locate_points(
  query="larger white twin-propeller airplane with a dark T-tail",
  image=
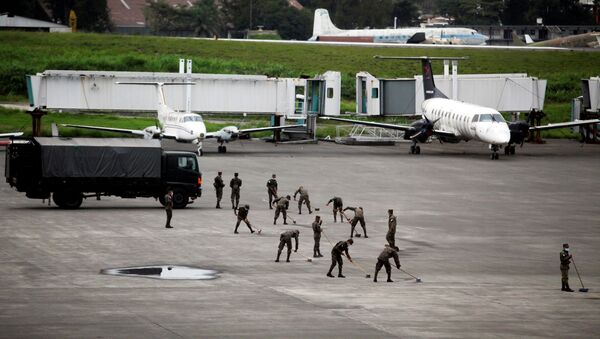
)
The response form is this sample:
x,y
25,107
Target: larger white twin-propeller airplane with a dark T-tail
x,y
452,121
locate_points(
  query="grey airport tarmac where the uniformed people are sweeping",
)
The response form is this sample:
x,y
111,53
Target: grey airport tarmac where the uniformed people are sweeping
x,y
484,236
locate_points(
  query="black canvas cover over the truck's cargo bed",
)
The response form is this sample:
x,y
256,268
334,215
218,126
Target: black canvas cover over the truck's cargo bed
x,y
100,158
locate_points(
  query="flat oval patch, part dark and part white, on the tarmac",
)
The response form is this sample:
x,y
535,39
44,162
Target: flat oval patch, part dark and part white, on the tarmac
x,y
168,272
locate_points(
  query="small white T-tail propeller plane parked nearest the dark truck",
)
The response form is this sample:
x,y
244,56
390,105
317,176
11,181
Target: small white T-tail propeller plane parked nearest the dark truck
x,y
183,127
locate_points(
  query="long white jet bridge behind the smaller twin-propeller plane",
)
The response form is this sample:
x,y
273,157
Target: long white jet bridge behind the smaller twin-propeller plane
x,y
98,91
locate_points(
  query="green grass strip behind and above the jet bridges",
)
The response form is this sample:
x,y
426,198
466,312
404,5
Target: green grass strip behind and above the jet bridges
x,y
28,53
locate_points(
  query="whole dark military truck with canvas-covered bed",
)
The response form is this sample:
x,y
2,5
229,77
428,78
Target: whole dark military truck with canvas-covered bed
x,y
72,169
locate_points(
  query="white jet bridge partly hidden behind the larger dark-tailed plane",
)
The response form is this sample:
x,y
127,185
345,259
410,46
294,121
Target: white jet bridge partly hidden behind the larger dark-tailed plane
x,y
402,96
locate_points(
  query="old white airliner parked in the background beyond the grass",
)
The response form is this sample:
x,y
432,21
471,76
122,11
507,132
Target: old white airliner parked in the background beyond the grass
x,y
325,30
